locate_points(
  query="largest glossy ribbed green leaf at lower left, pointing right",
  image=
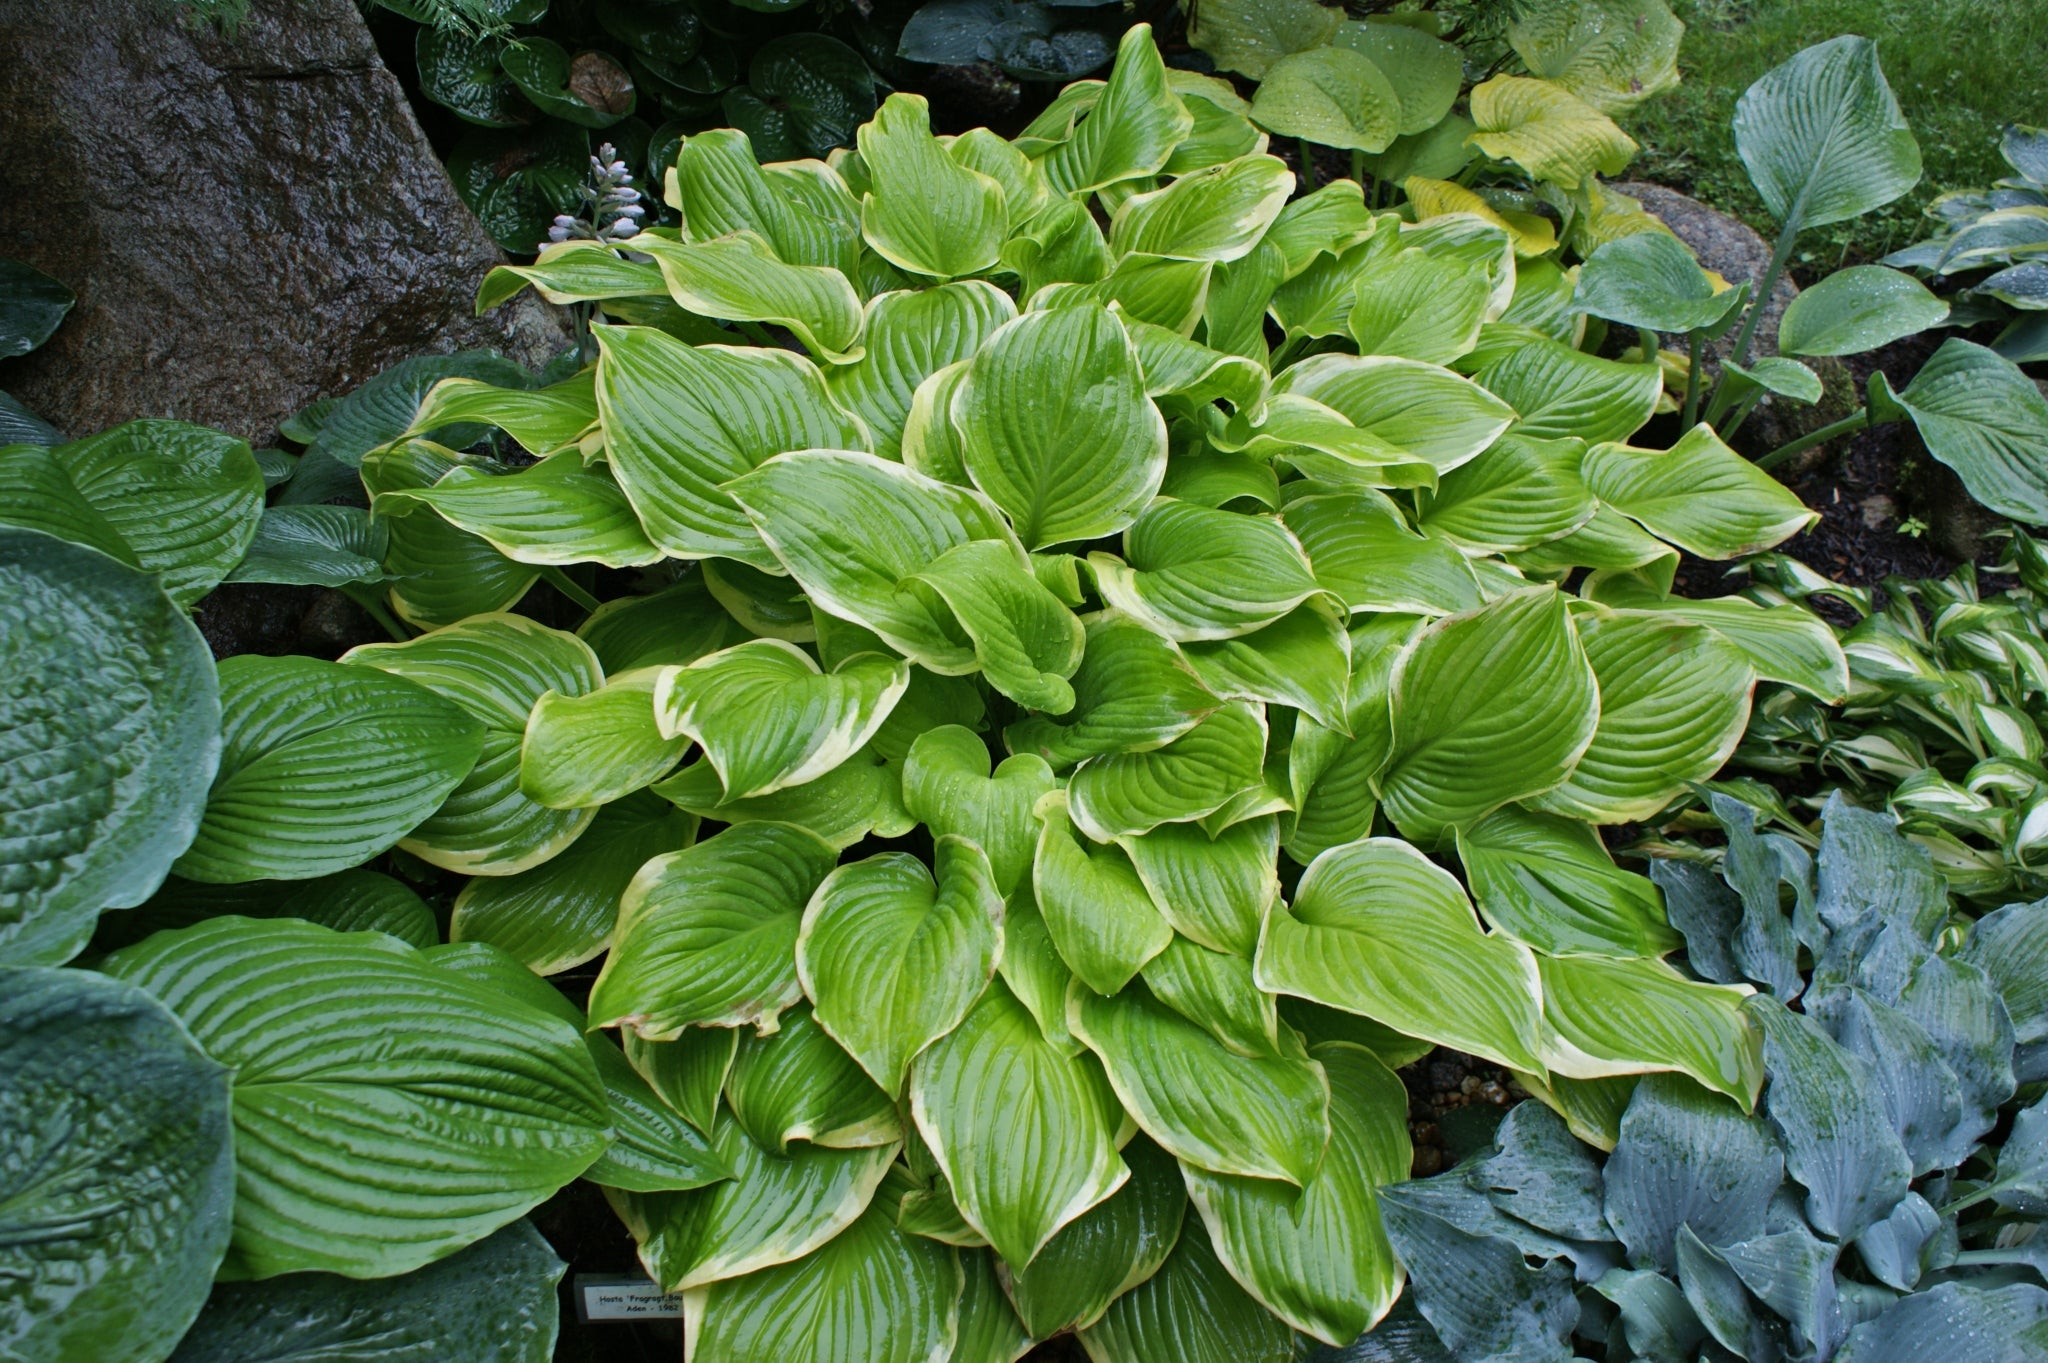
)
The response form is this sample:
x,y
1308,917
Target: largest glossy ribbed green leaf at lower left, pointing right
x,y
361,1075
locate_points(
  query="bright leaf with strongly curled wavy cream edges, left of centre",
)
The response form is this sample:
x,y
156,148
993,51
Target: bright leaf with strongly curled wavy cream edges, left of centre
x,y
767,717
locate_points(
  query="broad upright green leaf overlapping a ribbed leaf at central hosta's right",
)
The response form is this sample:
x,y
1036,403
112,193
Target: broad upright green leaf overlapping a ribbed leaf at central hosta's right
x,y
1492,707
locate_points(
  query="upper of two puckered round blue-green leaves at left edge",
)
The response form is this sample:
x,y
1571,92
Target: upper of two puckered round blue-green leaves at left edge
x,y
112,701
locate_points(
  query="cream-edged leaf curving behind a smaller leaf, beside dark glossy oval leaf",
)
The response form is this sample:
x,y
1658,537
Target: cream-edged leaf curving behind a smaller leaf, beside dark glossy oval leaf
x,y
495,668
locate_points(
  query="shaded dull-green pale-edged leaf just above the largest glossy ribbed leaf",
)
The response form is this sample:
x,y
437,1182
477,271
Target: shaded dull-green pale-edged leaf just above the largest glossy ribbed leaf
x,y
564,912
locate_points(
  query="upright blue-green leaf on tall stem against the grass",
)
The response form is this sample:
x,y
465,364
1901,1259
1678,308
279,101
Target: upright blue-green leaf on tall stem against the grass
x,y
1824,138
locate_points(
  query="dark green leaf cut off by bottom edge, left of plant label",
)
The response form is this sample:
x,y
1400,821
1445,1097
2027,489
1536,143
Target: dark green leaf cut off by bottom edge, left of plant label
x,y
493,1303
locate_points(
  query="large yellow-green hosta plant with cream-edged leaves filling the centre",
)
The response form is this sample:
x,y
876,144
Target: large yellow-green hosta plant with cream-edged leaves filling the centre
x,y
1109,752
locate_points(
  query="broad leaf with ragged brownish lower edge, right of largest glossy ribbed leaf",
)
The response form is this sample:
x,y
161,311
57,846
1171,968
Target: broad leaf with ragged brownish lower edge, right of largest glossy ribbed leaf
x,y
710,934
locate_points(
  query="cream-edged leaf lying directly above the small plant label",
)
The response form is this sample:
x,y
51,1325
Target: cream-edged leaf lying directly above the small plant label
x,y
777,1208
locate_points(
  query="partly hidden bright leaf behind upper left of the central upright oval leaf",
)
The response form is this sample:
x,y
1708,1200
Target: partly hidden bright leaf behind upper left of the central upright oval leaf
x,y
910,337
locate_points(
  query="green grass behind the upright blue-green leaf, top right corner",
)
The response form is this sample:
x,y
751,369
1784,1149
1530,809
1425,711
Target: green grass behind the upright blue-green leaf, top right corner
x,y
1961,71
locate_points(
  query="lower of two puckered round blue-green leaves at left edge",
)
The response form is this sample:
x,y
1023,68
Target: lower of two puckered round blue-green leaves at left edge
x,y
120,1174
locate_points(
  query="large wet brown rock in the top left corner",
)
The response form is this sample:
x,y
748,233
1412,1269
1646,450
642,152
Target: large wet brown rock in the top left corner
x,y
251,222
